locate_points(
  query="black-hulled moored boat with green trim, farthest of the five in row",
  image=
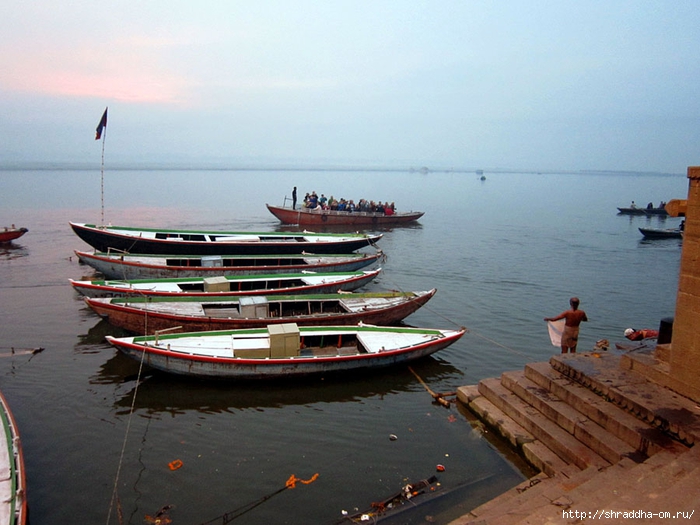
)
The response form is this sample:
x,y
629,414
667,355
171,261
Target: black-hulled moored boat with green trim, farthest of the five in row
x,y
195,242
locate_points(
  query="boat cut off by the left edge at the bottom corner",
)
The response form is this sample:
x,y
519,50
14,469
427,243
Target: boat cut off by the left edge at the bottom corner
x,y
13,485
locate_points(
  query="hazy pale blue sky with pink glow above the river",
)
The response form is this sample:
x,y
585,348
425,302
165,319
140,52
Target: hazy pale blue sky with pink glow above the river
x,y
530,84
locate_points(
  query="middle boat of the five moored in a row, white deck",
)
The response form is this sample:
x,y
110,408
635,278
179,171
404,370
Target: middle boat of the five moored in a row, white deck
x,y
283,283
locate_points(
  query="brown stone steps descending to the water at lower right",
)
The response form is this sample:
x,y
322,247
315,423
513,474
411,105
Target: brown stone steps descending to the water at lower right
x,y
603,439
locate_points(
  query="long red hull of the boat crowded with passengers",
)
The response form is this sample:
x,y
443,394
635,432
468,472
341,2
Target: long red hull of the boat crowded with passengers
x,y
306,217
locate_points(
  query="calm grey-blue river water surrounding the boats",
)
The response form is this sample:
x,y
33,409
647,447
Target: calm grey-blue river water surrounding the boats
x,y
503,252
